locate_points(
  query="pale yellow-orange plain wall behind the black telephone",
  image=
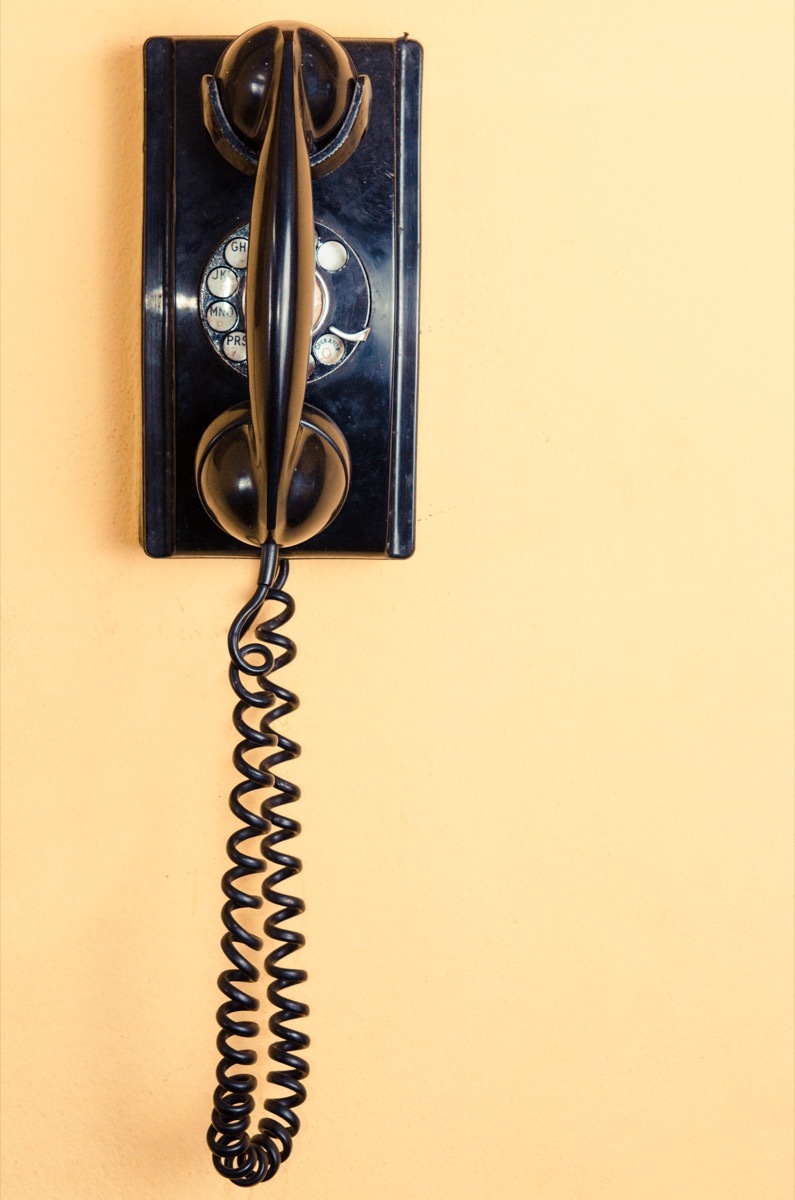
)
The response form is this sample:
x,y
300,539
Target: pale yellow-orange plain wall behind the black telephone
x,y
547,761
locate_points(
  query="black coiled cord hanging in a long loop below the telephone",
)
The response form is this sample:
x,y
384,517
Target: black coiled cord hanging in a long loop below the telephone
x,y
238,1156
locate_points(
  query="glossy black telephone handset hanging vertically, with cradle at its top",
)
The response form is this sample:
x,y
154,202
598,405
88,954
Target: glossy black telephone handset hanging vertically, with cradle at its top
x,y
286,98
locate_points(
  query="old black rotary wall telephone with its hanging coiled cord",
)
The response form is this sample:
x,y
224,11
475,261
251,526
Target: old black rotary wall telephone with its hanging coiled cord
x,y
282,254
